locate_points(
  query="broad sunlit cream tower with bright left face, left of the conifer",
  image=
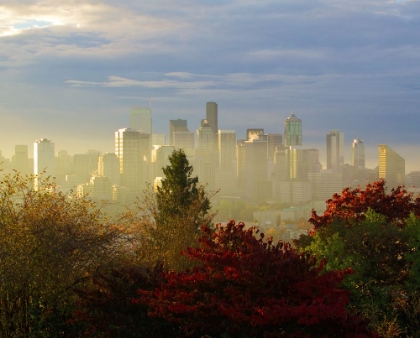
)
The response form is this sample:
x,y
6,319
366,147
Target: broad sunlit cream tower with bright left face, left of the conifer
x,y
127,148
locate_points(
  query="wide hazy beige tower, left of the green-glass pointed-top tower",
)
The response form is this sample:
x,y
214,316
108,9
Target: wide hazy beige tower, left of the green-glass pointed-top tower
x,y
256,170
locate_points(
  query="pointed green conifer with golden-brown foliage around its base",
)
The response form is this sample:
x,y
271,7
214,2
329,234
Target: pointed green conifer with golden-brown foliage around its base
x,y
169,219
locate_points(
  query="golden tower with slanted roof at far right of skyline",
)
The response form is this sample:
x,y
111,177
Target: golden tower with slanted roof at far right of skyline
x,y
391,167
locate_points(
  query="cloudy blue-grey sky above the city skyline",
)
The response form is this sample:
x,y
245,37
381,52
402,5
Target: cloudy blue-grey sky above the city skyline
x,y
71,69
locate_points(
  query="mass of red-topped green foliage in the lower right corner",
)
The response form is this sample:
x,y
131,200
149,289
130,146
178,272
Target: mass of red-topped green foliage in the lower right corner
x,y
377,234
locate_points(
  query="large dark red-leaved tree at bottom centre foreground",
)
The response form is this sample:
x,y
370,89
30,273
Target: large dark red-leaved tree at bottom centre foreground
x,y
248,287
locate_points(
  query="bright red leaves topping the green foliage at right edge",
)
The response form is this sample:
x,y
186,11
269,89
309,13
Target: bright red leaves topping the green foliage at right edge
x,y
352,204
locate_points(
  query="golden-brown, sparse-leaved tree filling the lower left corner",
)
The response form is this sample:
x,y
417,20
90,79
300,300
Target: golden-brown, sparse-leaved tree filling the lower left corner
x,y
49,244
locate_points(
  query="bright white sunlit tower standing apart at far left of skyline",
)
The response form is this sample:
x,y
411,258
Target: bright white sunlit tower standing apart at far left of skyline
x,y
44,157
